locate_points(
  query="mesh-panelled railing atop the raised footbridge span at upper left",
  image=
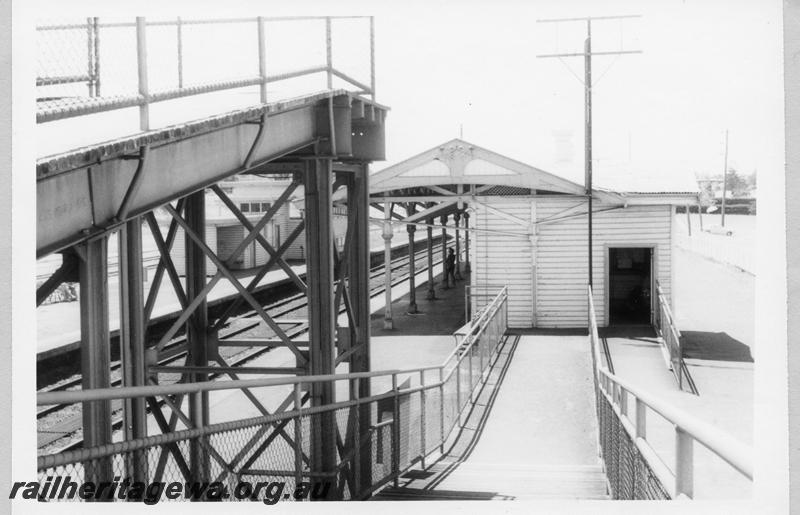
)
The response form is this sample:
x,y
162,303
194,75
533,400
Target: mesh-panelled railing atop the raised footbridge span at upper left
x,y
110,60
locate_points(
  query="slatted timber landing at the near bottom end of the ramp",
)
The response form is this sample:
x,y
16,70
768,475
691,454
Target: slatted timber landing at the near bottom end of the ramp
x,y
489,481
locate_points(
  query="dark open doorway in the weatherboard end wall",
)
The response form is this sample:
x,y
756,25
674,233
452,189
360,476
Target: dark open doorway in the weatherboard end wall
x,y
630,285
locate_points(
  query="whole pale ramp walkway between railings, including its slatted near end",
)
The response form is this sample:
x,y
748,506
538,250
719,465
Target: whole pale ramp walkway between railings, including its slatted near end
x,y
531,434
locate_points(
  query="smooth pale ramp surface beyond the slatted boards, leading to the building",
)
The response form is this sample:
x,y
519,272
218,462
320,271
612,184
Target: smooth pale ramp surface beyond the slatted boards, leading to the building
x,y
544,414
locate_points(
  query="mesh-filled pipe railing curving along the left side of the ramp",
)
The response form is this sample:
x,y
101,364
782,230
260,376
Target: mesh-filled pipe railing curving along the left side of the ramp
x,y
419,411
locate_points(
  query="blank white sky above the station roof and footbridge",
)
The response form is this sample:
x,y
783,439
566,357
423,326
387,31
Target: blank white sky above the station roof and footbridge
x,y
444,67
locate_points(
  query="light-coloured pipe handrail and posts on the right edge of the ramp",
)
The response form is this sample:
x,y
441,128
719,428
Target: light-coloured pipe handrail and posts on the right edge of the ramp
x,y
678,481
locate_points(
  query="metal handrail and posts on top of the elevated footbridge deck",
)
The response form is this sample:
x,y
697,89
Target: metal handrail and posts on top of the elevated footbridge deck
x,y
95,103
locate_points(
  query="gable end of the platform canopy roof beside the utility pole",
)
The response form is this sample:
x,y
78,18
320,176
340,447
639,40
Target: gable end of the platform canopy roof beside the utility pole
x,y
460,162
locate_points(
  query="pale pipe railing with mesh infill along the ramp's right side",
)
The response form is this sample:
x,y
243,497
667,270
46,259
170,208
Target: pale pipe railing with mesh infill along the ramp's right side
x,y
634,468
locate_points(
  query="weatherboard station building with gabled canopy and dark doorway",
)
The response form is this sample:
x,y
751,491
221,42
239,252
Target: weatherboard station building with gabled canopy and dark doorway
x,y
529,231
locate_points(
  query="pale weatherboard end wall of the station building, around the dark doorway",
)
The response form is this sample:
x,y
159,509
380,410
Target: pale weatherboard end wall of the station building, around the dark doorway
x,y
547,275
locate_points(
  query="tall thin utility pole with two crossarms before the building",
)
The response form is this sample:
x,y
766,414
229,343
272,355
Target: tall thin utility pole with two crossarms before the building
x,y
587,83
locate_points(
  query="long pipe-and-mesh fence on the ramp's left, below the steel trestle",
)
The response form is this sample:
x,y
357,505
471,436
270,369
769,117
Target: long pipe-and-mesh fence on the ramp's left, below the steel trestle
x,y
426,406
